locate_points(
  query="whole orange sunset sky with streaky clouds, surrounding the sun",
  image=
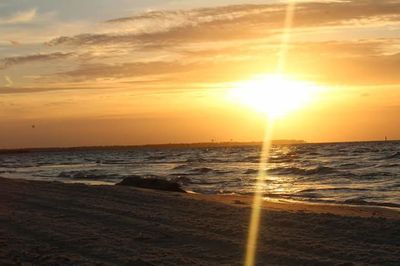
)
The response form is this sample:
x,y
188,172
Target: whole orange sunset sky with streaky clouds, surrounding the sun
x,y
102,72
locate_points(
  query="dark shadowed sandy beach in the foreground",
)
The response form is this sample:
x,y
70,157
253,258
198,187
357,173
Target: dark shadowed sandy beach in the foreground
x,y
50,223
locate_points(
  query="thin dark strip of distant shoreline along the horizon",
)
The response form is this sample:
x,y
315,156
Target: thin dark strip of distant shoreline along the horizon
x,y
174,146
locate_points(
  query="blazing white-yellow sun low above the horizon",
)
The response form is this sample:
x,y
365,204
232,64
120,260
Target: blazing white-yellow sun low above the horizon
x,y
273,95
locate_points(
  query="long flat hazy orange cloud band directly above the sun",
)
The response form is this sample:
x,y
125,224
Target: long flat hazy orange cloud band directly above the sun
x,y
358,62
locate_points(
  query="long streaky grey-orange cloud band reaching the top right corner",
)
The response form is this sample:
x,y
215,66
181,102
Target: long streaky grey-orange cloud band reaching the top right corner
x,y
230,22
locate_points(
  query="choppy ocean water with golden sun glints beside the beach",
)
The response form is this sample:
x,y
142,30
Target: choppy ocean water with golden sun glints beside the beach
x,y
344,173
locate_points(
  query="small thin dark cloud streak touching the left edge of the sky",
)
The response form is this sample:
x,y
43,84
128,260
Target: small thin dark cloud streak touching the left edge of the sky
x,y
10,61
